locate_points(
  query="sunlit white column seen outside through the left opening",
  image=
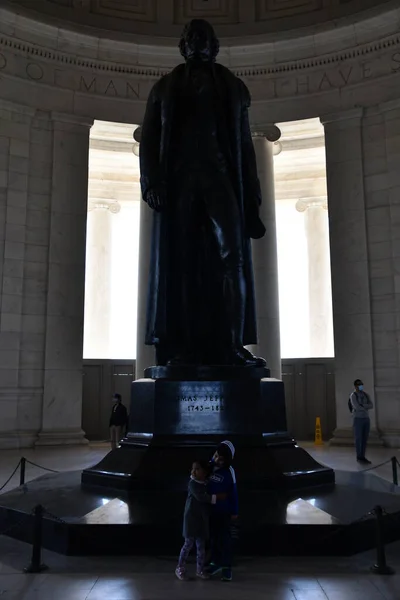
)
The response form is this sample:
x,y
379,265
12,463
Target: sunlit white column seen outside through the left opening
x,y
98,278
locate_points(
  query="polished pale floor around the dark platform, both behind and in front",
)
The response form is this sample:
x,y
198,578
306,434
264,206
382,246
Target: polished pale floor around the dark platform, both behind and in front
x,y
142,578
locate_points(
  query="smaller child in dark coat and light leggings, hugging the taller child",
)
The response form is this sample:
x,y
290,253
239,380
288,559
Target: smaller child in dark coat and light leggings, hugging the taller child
x,y
196,519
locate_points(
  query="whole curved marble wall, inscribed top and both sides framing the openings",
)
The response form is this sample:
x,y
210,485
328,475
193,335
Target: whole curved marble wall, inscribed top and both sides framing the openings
x,y
54,81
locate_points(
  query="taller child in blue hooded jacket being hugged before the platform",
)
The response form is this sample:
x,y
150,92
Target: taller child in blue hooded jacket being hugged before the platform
x,y
222,481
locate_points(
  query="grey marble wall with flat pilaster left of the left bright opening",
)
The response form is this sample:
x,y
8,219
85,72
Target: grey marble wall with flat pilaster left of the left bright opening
x,y
43,262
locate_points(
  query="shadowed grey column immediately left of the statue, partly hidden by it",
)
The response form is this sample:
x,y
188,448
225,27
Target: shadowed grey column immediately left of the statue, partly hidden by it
x,y
145,355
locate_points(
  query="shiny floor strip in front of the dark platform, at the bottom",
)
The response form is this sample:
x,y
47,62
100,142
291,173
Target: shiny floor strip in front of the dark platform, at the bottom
x,y
153,579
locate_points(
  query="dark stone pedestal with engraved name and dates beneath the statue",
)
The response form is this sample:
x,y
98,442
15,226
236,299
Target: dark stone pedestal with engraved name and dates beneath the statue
x,y
175,421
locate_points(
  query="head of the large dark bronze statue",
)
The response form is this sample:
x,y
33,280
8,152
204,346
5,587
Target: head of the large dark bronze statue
x,y
198,41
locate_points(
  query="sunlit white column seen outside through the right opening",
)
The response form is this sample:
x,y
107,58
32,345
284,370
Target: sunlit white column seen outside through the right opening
x,y
319,284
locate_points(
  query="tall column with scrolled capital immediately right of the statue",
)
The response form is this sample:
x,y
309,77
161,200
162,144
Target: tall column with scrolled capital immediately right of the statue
x,y
265,258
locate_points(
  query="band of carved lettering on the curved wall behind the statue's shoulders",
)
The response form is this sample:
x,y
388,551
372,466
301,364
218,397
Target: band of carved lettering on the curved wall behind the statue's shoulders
x,y
263,87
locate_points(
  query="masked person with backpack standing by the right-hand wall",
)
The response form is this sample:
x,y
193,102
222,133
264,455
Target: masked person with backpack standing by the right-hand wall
x,y
359,404
